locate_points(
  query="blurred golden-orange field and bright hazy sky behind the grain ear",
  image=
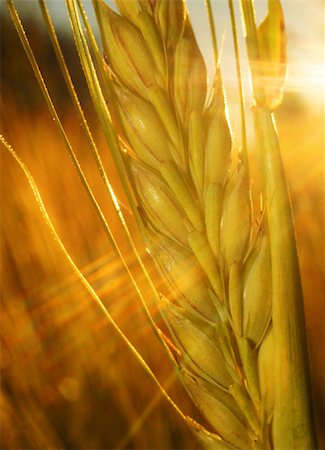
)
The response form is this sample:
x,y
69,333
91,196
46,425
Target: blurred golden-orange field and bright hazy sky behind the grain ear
x,y
67,379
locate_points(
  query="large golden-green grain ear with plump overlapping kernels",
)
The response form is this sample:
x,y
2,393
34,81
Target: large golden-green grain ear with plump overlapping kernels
x,y
194,198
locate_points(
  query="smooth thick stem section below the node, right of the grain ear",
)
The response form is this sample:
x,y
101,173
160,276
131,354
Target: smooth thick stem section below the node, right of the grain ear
x,y
293,415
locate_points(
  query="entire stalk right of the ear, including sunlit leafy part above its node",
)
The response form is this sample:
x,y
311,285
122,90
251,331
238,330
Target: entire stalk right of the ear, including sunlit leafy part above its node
x,y
293,426
